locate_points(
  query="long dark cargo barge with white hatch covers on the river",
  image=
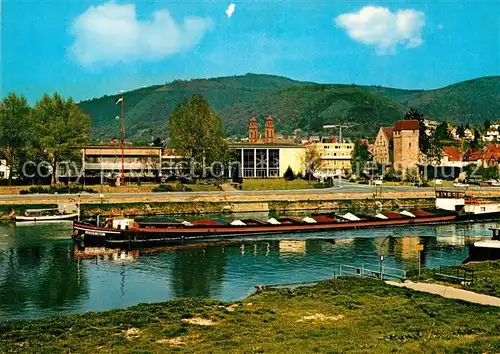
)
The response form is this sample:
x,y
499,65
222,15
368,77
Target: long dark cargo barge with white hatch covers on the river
x,y
451,207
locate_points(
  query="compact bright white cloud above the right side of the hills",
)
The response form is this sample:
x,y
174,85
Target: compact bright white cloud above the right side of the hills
x,y
379,27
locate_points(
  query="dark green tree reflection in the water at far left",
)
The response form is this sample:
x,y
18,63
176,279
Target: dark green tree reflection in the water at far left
x,y
38,274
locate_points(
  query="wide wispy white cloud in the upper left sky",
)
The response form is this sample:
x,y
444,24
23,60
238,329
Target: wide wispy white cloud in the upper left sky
x,y
111,33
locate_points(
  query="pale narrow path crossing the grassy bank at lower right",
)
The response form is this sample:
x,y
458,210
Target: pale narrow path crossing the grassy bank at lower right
x,y
450,292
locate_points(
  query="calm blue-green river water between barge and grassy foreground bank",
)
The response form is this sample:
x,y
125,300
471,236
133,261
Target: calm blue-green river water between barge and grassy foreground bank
x,y
40,274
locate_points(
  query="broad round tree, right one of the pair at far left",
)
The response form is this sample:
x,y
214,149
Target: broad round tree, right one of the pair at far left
x,y
59,127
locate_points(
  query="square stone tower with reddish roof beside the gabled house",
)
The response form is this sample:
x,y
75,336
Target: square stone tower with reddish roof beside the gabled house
x,y
406,148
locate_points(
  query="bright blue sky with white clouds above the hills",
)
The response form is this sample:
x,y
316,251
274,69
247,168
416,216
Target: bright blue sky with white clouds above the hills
x,y
87,48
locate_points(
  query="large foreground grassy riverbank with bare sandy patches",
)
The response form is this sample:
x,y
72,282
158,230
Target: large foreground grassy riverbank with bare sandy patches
x,y
342,315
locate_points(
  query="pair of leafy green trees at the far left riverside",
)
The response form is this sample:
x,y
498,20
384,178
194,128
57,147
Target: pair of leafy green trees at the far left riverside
x,y
48,132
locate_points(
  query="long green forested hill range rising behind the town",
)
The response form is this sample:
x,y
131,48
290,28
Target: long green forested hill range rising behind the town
x,y
293,104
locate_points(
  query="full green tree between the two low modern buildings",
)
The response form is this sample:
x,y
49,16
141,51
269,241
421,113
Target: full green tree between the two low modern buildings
x,y
196,132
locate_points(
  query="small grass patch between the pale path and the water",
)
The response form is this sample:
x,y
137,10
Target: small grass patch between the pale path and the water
x,y
486,274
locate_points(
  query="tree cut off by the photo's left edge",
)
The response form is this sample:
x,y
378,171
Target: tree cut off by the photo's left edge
x,y
14,129
